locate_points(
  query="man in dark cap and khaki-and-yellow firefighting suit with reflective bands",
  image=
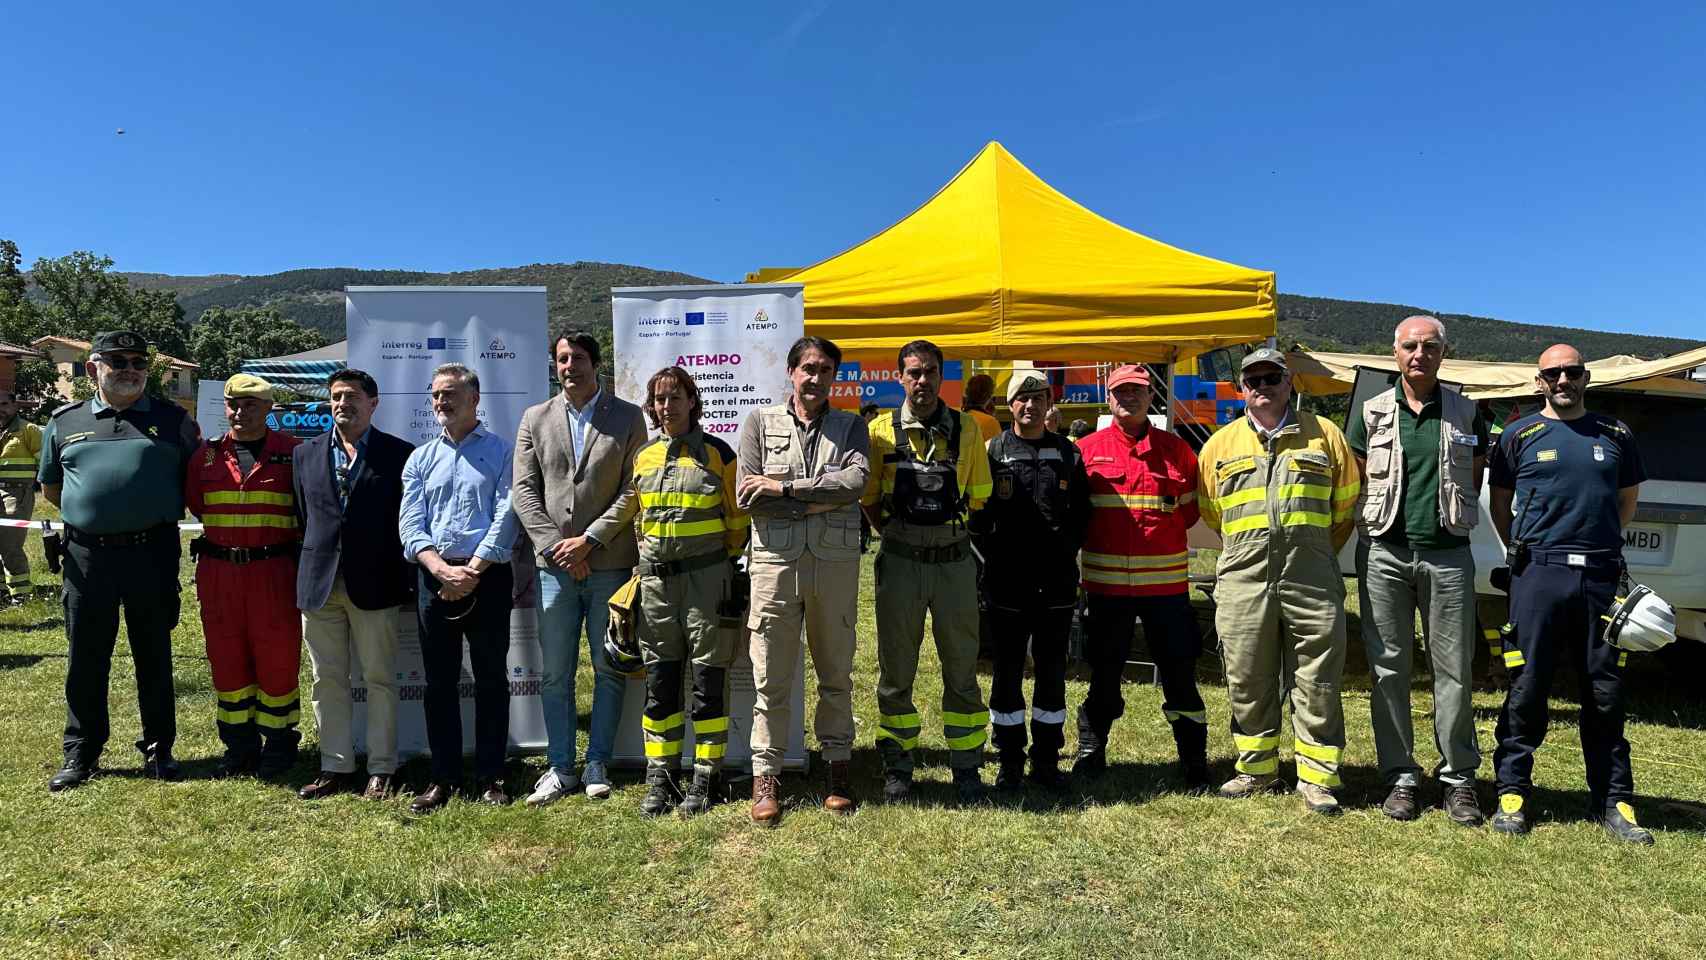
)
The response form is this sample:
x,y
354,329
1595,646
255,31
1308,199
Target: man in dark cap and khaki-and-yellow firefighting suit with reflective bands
x,y
1280,489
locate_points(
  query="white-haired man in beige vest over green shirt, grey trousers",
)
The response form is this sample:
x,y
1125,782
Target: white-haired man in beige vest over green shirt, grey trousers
x,y
1422,451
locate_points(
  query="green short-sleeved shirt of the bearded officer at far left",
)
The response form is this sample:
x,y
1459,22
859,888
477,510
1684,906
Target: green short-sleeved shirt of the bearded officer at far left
x,y
119,471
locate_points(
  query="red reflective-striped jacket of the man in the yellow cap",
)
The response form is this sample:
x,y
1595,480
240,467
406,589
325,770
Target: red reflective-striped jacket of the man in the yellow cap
x,y
240,511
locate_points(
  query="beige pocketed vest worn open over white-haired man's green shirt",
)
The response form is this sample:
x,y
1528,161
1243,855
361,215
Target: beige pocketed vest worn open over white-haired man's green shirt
x,y
1384,489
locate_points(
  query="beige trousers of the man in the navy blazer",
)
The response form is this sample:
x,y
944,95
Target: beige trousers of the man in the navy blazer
x,y
332,633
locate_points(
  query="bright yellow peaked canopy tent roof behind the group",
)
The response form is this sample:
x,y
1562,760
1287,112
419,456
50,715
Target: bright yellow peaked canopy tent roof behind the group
x,y
1001,265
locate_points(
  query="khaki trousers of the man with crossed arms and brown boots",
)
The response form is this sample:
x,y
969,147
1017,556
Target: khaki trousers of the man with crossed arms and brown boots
x,y
823,596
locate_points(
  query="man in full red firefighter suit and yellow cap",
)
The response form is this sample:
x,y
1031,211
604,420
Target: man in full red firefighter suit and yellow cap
x,y
247,572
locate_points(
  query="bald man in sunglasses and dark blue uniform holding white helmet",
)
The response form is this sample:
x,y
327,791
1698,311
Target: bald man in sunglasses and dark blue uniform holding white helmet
x,y
1574,478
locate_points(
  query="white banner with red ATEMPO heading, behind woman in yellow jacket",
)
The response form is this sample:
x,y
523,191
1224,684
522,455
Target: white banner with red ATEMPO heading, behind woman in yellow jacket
x,y
734,342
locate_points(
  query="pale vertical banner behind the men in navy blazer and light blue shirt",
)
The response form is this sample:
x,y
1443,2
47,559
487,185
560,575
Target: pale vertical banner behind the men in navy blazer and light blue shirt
x,y
400,335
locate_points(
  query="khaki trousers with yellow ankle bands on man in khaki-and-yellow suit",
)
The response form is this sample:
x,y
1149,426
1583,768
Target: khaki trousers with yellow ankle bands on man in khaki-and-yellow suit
x,y
1284,632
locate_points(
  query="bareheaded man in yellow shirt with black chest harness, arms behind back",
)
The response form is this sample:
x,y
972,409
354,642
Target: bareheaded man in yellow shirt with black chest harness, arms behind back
x,y
929,473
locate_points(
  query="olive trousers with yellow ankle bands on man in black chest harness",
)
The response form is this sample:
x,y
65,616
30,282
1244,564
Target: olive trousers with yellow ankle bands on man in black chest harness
x,y
907,589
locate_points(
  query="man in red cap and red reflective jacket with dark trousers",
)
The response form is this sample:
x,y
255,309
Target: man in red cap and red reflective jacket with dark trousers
x,y
1135,565
